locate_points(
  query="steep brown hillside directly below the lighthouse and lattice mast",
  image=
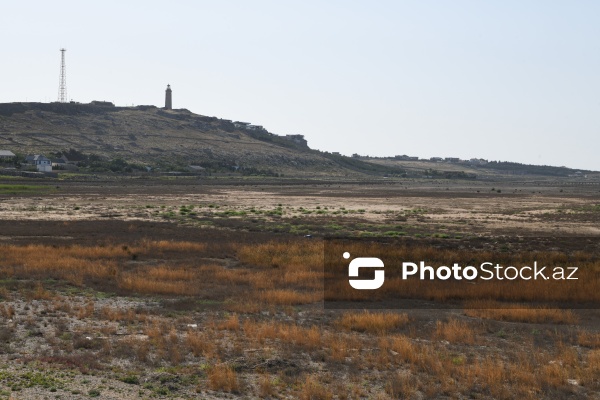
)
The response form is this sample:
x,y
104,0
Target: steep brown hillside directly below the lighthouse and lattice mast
x,y
149,136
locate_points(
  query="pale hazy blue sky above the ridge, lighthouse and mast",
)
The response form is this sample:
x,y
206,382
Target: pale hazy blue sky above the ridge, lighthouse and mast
x,y
503,80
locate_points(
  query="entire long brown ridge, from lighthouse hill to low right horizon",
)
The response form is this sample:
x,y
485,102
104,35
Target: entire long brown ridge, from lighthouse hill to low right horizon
x,y
111,138
